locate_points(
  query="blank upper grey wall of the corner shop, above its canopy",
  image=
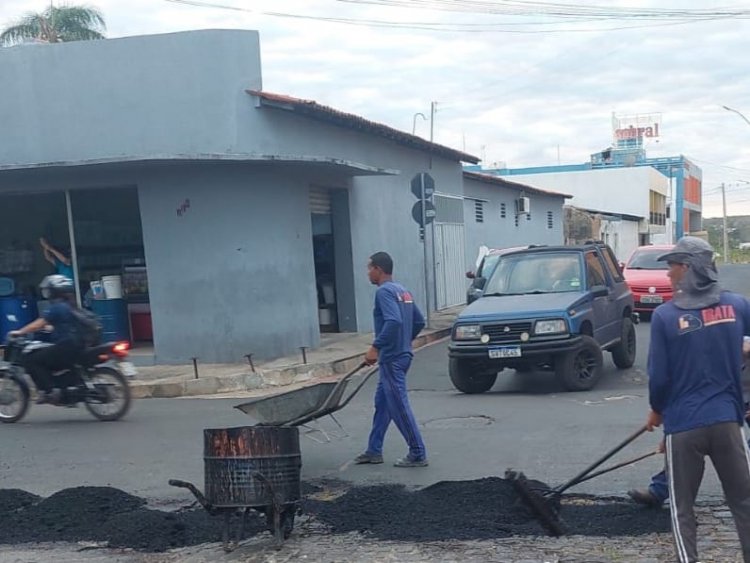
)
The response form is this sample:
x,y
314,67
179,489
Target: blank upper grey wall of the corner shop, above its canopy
x,y
158,95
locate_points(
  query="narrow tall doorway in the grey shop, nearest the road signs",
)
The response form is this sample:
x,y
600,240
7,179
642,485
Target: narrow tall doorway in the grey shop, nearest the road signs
x,y
332,256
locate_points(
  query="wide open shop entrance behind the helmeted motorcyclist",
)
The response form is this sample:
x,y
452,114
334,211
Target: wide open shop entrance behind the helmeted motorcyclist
x,y
98,235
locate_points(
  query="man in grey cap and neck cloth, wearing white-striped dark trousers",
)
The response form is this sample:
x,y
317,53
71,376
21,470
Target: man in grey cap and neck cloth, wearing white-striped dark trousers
x,y
694,364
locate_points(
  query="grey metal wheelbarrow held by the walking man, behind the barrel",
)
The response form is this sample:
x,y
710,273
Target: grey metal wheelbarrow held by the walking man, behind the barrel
x,y
298,407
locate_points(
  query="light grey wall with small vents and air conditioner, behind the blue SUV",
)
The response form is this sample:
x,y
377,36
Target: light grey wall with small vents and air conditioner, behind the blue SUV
x,y
502,232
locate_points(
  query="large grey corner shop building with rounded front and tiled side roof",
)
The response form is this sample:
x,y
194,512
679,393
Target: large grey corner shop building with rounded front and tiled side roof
x,y
239,220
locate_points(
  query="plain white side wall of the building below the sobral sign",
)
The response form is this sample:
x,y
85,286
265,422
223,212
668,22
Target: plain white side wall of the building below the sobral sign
x,y
611,190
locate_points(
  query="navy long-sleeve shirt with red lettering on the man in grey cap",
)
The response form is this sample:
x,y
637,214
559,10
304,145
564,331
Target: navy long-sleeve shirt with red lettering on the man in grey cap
x,y
695,361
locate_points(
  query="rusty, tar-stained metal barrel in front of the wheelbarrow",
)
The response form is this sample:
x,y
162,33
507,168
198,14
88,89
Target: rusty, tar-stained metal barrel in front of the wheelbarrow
x,y
235,457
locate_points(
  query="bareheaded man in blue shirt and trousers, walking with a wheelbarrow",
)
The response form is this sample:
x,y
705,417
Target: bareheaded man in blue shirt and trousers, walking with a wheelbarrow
x,y
398,321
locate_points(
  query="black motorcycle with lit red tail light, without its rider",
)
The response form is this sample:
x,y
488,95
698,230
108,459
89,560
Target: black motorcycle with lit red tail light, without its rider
x,y
98,379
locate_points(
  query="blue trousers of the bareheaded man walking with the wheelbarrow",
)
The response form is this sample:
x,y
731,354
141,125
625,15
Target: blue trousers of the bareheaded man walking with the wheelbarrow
x,y
392,404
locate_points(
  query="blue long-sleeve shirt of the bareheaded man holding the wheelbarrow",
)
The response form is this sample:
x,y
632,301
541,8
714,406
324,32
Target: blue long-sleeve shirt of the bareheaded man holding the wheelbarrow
x,y
398,321
